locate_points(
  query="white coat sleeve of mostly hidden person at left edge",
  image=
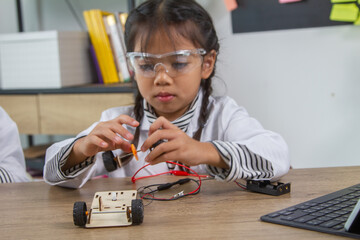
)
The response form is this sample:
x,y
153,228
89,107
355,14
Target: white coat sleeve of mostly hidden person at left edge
x,y
12,162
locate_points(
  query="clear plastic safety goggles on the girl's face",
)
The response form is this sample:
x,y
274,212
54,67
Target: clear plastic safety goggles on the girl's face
x,y
174,63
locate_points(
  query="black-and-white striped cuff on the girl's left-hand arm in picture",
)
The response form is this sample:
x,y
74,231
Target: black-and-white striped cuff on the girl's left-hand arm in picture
x,y
53,170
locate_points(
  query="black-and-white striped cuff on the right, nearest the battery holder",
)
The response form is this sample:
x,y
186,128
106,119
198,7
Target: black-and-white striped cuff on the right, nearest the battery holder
x,y
243,163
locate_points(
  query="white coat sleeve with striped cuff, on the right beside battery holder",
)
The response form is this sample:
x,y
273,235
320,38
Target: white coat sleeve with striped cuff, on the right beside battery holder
x,y
250,151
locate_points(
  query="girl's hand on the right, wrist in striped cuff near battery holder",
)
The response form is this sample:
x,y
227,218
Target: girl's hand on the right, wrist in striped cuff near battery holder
x,y
178,147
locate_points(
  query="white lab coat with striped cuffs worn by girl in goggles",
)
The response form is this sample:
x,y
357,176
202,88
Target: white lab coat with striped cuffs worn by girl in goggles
x,y
250,151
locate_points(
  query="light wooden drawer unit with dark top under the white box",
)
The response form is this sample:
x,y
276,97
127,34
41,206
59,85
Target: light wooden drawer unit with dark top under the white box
x,y
65,111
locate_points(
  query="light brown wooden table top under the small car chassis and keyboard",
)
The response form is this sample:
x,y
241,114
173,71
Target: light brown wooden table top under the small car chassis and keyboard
x,y
220,211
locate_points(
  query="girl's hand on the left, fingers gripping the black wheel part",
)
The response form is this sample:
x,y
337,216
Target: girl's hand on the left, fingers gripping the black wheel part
x,y
109,135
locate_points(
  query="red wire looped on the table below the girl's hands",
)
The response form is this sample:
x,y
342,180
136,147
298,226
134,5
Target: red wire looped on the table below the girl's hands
x,y
181,173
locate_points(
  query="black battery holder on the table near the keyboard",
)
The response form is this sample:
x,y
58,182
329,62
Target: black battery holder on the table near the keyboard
x,y
266,187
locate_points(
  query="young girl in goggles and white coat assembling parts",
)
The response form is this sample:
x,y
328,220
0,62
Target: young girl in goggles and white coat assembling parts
x,y
172,49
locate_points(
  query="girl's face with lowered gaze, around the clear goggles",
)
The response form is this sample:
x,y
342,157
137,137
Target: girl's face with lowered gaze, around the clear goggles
x,y
171,96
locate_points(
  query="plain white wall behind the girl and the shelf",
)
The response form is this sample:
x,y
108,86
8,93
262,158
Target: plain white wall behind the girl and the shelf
x,y
302,83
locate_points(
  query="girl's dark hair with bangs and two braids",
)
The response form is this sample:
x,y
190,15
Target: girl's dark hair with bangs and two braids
x,y
188,19
